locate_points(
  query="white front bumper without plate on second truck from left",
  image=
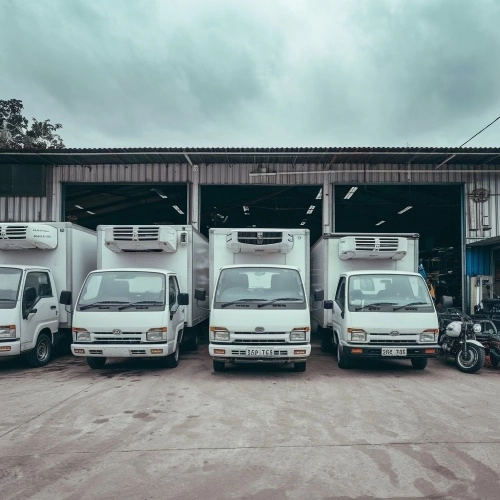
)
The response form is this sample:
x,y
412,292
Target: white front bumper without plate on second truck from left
x,y
123,351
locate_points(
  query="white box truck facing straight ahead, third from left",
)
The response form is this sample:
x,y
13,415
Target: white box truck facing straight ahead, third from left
x,y
259,300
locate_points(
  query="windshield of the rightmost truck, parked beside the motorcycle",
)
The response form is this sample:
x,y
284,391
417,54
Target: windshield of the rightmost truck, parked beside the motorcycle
x,y
388,292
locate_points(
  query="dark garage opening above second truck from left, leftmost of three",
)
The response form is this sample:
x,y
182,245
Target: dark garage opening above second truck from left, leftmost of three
x,y
89,205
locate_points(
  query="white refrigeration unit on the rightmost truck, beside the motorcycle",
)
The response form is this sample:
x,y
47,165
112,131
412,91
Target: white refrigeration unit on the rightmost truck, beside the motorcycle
x,y
372,247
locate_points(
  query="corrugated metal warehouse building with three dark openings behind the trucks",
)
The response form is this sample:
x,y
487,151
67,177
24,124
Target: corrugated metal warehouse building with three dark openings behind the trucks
x,y
449,196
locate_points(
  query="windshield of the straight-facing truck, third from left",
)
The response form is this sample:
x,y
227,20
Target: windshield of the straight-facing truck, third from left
x,y
253,287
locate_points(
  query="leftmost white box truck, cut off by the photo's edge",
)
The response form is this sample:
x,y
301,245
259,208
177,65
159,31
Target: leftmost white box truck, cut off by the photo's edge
x,y
42,267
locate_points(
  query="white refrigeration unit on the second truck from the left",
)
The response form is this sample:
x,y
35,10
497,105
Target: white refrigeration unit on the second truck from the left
x,y
143,238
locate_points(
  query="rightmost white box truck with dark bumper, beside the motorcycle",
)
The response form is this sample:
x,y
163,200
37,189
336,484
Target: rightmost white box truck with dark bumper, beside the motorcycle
x,y
378,304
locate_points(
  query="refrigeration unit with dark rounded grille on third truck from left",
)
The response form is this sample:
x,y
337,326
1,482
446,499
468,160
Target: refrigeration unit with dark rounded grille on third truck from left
x,y
259,241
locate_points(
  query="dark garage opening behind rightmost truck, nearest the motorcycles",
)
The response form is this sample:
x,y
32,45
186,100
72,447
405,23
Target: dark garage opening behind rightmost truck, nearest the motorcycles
x,y
434,212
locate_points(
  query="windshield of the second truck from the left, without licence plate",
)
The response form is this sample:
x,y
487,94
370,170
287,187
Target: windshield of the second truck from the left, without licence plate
x,y
116,289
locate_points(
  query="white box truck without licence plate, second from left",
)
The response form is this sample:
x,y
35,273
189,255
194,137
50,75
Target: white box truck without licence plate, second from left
x,y
136,304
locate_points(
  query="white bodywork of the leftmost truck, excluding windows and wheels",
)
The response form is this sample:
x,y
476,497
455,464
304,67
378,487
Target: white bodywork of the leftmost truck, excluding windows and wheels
x,y
63,251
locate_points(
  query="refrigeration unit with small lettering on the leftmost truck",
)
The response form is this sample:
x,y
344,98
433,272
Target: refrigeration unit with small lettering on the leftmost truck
x,y
27,236
